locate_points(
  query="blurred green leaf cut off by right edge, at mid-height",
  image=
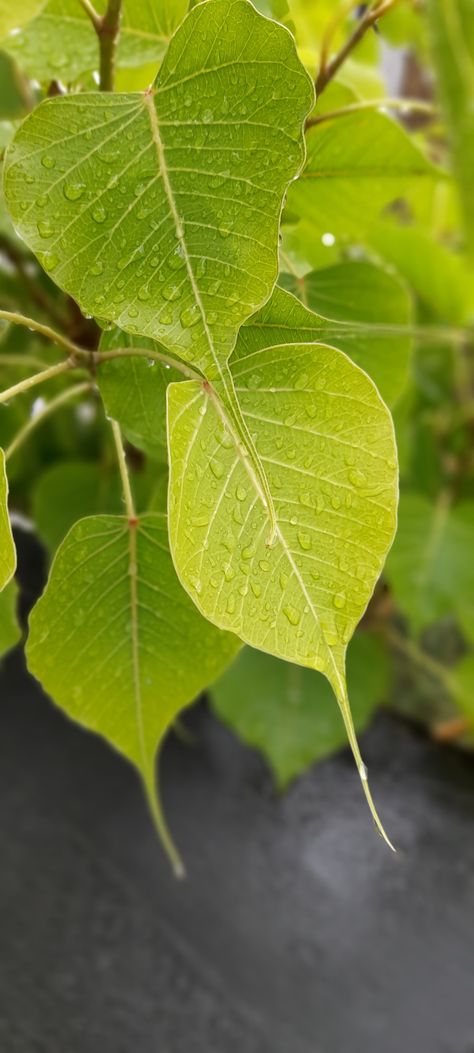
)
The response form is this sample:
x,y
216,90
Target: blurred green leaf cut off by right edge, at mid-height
x,y
430,568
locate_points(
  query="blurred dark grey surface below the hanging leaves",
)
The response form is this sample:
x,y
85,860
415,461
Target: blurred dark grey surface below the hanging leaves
x,y
298,931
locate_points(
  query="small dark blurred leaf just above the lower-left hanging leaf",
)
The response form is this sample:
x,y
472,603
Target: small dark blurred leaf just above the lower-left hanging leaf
x,y
69,491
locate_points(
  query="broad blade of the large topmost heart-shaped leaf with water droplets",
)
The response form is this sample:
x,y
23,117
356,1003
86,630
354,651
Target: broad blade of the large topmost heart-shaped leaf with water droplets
x,y
161,212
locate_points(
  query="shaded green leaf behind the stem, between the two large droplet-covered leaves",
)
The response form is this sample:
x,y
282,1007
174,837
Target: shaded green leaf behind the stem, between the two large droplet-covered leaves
x,y
134,392
